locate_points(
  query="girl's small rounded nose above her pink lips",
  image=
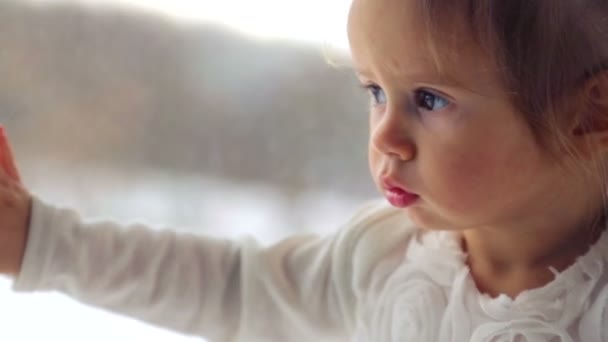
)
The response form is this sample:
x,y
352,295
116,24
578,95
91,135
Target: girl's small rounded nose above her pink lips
x,y
389,135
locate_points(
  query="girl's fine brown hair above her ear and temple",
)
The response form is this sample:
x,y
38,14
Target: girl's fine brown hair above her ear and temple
x,y
544,49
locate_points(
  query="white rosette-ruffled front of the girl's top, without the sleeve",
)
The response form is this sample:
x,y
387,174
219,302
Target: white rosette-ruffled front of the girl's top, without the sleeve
x,y
431,296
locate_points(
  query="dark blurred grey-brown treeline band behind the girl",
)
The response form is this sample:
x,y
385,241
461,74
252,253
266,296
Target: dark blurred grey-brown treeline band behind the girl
x,y
112,87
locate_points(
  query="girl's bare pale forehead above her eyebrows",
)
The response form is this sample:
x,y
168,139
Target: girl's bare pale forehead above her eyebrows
x,y
391,38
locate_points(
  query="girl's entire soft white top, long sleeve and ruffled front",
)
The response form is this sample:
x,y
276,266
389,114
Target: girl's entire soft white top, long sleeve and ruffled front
x,y
377,279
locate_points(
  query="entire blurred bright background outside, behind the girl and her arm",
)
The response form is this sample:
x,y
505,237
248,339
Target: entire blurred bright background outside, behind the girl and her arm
x,y
215,117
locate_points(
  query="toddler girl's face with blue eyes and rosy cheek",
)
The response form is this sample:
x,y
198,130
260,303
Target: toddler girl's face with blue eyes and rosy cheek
x,y
457,142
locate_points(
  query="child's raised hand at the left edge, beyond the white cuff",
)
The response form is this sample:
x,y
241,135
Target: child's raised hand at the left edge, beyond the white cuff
x,y
15,210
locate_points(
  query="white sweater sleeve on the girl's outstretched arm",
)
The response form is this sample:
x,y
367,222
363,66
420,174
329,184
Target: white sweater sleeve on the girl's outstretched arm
x,y
304,288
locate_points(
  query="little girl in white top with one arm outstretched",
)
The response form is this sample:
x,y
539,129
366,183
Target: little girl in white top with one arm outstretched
x,y
489,138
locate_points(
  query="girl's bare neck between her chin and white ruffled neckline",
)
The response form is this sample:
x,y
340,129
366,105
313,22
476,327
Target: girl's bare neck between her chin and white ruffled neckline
x,y
510,260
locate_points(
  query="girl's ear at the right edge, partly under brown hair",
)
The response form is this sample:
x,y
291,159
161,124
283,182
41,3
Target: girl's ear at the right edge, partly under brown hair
x,y
590,131
